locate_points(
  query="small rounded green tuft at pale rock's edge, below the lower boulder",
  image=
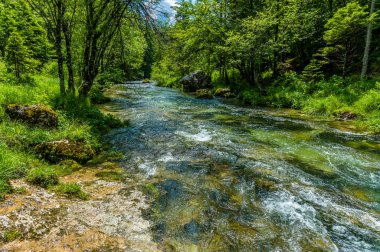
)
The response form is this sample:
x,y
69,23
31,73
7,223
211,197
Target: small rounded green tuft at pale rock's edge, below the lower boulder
x,y
43,176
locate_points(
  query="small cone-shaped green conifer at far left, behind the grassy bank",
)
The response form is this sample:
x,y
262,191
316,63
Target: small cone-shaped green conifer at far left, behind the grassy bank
x,y
17,54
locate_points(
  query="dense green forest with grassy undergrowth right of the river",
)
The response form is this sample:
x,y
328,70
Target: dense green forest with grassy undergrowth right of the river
x,y
319,56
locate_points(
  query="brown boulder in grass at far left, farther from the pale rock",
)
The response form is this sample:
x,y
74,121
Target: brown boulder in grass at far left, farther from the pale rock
x,y
36,115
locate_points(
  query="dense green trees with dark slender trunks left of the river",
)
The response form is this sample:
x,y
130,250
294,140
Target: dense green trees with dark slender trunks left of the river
x,y
78,41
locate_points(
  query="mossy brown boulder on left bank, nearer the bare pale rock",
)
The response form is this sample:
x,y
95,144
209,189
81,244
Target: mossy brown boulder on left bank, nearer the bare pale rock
x,y
65,149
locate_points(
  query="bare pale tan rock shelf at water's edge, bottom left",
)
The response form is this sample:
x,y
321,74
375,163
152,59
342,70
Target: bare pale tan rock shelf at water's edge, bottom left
x,y
111,219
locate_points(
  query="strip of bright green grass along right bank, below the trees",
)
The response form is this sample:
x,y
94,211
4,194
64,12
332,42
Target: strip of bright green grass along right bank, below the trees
x,y
334,98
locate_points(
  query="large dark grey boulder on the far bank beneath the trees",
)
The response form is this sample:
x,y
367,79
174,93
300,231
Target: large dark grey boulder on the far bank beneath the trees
x,y
196,81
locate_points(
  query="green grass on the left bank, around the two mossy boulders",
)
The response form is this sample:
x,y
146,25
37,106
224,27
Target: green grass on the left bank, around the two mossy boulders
x,y
78,121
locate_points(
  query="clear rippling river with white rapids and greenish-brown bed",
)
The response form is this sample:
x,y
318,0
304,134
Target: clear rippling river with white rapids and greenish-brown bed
x,y
229,178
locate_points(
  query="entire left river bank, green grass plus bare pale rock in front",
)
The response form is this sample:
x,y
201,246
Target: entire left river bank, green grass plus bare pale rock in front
x,y
51,201
